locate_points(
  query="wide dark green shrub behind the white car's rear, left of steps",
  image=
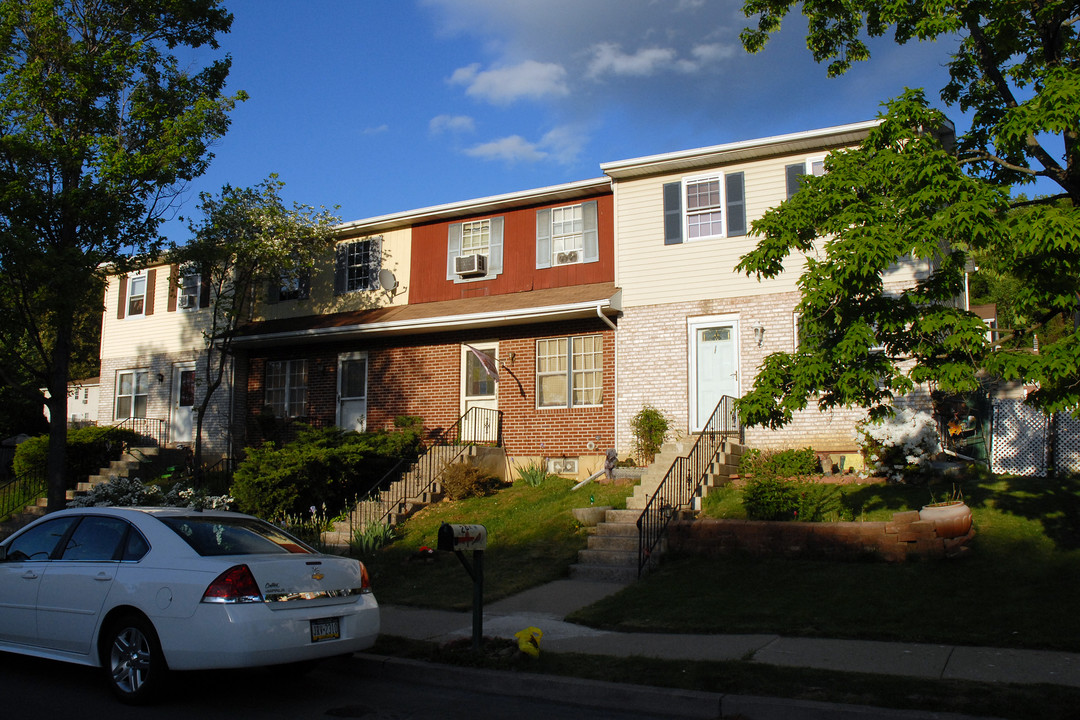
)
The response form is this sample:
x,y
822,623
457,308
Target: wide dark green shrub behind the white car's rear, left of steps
x,y
321,469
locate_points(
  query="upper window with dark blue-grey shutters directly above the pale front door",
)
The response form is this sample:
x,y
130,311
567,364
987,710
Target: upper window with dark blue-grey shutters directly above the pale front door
x,y
707,207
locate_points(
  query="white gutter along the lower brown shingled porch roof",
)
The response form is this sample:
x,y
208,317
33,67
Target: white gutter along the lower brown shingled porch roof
x,y
495,319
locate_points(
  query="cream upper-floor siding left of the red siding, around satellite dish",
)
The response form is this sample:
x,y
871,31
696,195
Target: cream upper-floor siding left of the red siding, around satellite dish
x,y
397,257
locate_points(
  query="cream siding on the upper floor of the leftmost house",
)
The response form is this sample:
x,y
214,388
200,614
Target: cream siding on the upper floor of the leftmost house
x,y
164,332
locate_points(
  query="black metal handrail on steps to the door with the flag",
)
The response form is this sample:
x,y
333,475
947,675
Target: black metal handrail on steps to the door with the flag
x,y
477,427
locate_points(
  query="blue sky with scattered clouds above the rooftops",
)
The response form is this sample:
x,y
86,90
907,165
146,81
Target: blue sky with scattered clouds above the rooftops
x,y
383,107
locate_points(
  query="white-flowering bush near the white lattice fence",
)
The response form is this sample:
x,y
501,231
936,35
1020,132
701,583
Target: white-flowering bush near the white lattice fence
x,y
902,446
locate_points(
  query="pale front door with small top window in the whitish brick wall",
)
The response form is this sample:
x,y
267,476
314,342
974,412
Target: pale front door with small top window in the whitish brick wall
x,y
714,368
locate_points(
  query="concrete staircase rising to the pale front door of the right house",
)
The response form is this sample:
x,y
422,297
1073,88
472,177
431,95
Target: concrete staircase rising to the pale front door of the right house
x,y
613,551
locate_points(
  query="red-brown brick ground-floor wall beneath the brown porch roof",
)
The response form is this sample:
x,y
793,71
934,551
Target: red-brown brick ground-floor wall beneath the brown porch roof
x,y
422,376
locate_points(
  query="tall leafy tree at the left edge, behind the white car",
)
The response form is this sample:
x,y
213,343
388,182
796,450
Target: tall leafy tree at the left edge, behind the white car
x,y
101,126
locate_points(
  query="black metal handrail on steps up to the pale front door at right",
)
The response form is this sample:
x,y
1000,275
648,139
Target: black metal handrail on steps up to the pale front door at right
x,y
684,479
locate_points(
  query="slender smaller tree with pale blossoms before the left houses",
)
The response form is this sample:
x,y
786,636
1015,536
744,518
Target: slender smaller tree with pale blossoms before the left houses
x,y
248,242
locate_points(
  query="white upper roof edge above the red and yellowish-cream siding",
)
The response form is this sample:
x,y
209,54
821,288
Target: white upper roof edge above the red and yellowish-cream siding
x,y
481,206
